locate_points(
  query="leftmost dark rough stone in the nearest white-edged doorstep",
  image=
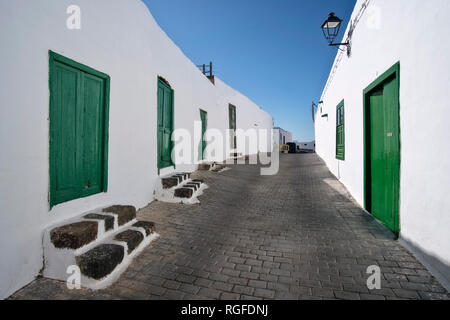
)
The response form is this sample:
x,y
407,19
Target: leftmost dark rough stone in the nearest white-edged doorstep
x,y
75,235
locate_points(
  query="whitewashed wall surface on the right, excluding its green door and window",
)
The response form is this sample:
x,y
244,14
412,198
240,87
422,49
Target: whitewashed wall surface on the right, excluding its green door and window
x,y
410,31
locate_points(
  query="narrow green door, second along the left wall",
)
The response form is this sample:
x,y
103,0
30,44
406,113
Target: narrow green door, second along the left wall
x,y
165,125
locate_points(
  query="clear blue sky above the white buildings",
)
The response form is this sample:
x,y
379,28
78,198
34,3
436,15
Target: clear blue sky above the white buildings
x,y
273,51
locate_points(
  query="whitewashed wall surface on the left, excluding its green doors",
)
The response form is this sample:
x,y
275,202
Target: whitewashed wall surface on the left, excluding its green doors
x,y
119,38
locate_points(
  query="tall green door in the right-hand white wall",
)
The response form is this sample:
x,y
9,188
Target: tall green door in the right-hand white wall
x,y
384,152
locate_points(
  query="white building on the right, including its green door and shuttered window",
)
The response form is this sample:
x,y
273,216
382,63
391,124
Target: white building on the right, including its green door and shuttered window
x,y
382,106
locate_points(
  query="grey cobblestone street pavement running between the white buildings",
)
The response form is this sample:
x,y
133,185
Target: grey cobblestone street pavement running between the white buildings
x,y
297,235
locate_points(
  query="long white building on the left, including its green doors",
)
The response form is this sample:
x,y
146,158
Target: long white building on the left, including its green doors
x,y
120,66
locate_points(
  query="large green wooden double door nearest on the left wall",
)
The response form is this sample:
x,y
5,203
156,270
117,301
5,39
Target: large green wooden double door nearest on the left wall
x,y
78,130
